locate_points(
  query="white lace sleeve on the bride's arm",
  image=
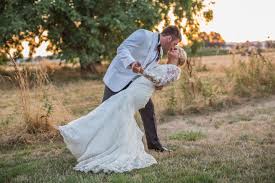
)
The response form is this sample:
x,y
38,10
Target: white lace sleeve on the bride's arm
x,y
171,74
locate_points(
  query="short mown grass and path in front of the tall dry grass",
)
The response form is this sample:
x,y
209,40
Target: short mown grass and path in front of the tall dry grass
x,y
209,149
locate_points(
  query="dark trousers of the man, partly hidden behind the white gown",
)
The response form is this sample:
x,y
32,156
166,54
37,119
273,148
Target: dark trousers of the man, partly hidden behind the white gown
x,y
148,118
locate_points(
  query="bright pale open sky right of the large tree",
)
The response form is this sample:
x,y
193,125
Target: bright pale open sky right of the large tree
x,y
242,20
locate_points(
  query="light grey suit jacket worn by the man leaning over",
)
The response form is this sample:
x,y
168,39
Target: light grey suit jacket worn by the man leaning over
x,y
139,46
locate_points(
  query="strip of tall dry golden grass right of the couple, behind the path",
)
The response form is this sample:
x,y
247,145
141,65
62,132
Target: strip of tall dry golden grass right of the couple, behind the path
x,y
195,92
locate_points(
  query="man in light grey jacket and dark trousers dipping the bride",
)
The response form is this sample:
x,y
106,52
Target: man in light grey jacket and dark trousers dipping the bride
x,y
143,48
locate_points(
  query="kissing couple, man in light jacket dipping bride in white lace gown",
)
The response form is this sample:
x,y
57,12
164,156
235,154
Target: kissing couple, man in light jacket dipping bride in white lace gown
x,y
108,138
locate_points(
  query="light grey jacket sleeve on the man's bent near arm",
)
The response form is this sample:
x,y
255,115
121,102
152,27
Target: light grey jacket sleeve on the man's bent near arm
x,y
135,40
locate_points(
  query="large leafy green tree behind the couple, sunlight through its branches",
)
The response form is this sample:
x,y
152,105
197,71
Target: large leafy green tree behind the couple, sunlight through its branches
x,y
89,30
